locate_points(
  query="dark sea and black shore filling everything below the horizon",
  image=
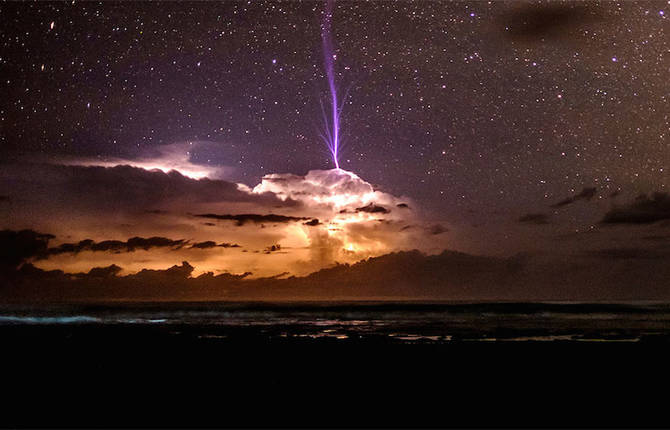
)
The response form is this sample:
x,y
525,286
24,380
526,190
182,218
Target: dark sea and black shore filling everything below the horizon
x,y
125,371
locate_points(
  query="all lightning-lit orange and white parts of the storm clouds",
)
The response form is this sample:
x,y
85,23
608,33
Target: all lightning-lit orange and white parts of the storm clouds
x,y
332,216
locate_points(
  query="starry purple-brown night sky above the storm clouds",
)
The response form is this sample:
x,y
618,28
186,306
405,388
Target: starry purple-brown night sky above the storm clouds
x,y
512,126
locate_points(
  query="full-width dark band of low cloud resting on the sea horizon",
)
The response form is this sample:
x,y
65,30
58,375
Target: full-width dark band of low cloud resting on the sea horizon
x,y
614,274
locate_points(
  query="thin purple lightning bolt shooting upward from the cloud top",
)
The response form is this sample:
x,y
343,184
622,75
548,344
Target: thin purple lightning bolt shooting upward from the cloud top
x,y
332,132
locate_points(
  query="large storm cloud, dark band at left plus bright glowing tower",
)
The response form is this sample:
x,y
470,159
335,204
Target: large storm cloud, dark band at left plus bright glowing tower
x,y
318,219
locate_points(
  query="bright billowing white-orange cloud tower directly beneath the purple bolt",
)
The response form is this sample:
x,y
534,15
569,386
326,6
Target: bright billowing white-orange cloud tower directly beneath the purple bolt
x,y
355,221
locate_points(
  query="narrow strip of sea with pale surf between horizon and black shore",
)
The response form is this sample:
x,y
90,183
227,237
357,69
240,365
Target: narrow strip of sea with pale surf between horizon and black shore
x,y
408,323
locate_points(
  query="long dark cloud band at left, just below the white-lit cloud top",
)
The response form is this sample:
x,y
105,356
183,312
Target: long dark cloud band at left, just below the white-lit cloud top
x,y
118,189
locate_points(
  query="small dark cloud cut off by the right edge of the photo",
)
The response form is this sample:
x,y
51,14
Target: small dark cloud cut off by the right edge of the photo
x,y
643,210
